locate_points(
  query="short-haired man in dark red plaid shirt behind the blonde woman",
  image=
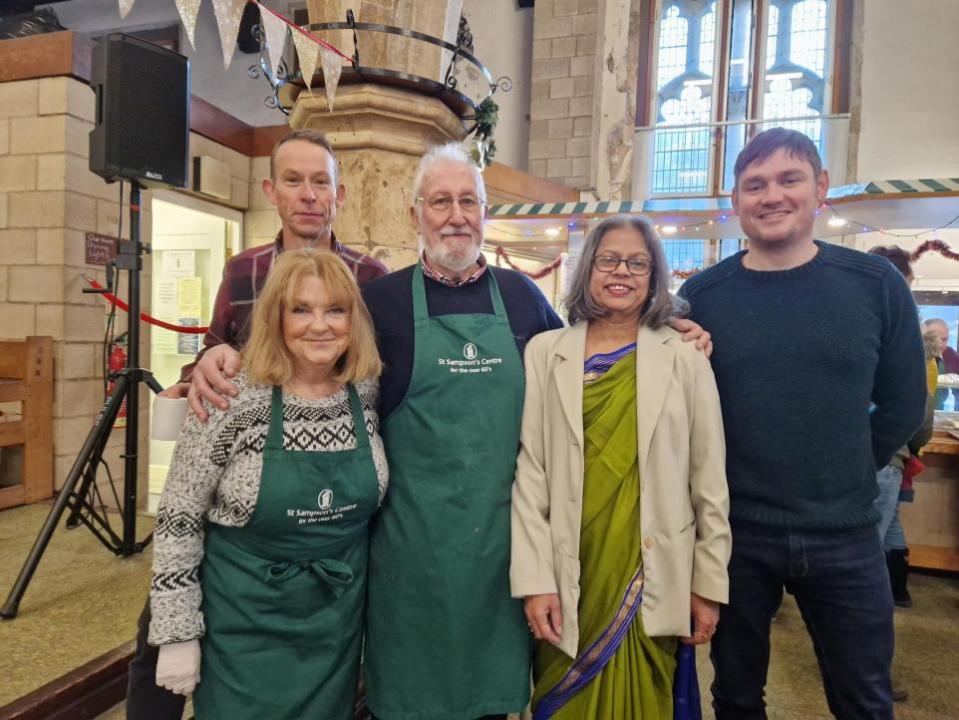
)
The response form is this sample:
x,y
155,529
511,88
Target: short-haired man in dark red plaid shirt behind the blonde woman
x,y
305,189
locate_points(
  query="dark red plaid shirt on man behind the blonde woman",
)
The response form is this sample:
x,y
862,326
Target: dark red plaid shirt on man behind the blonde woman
x,y
243,278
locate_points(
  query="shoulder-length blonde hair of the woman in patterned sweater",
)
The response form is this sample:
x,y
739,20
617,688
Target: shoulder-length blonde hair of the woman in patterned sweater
x,y
265,355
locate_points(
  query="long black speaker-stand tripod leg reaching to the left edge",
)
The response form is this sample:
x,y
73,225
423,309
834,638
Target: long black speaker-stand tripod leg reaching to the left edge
x,y
101,428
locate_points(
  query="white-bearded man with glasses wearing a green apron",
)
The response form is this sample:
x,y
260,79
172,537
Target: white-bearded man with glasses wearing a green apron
x,y
444,638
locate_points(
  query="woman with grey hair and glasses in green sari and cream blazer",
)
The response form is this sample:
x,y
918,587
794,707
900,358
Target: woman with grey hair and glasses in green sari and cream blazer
x,y
620,536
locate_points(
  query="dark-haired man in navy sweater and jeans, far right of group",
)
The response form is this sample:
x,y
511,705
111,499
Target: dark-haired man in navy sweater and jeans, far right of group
x,y
819,364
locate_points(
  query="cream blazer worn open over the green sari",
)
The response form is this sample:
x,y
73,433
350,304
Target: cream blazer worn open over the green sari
x,y
684,500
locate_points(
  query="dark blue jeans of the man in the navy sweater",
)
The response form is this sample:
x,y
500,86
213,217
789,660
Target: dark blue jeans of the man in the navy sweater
x,y
841,586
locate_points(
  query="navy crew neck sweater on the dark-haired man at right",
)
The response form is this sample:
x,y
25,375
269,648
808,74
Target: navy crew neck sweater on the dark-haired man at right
x,y
820,372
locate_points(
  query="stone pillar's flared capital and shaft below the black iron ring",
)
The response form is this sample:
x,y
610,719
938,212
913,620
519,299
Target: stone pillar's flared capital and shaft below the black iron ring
x,y
379,134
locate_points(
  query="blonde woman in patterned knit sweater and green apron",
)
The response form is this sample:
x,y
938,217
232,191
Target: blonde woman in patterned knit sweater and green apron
x,y
261,546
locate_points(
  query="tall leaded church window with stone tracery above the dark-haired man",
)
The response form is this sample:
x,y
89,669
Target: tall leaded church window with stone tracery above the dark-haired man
x,y
712,80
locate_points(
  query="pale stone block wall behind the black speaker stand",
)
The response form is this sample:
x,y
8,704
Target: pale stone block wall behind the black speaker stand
x,y
49,200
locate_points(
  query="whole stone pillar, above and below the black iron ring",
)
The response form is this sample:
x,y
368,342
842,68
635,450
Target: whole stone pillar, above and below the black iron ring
x,y
380,132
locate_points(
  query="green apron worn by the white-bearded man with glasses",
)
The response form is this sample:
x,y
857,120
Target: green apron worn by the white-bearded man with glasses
x,y
445,640
